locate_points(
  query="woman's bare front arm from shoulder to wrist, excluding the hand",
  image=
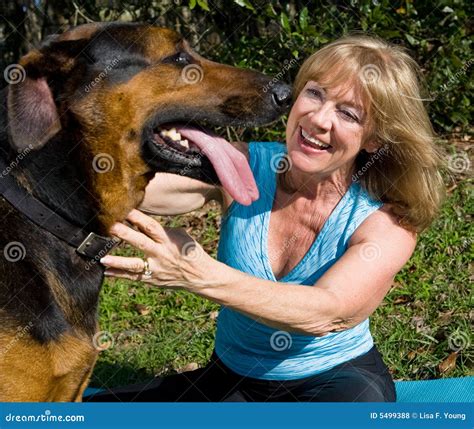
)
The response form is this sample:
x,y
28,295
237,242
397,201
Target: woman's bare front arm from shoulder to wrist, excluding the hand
x,y
344,296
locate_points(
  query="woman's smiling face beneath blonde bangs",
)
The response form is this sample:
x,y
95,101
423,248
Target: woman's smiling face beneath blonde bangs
x,y
325,130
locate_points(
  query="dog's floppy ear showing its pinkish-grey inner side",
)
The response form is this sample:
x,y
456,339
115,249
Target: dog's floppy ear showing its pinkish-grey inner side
x,y
32,113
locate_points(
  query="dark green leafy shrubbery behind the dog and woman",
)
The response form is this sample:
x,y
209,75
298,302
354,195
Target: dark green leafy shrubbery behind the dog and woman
x,y
263,34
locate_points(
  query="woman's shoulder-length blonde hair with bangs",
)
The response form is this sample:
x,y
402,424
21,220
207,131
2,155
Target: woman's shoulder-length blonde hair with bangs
x,y
405,171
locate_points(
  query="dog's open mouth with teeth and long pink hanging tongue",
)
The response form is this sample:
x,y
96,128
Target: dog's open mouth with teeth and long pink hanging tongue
x,y
196,152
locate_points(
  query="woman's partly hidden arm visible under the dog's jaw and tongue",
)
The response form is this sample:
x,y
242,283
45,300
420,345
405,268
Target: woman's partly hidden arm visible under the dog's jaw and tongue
x,y
172,194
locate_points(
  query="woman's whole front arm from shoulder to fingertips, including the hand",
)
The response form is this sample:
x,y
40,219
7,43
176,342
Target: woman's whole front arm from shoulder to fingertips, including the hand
x,y
343,297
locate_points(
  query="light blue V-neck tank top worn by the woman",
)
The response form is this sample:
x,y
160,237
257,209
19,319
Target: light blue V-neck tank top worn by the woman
x,y
253,349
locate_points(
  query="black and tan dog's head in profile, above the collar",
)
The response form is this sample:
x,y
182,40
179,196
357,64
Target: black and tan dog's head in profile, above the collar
x,y
116,89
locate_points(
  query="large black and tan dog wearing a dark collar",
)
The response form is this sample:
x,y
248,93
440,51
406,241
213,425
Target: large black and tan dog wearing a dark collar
x,y
81,138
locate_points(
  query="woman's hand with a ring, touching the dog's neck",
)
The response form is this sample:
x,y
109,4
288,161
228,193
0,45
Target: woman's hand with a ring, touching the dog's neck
x,y
174,258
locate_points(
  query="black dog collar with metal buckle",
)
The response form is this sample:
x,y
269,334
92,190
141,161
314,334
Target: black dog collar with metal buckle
x,y
86,243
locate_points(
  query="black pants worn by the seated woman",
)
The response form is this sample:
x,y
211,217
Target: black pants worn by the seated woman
x,y
363,379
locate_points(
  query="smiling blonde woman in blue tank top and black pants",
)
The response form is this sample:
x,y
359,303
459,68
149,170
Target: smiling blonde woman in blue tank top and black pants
x,y
360,180
